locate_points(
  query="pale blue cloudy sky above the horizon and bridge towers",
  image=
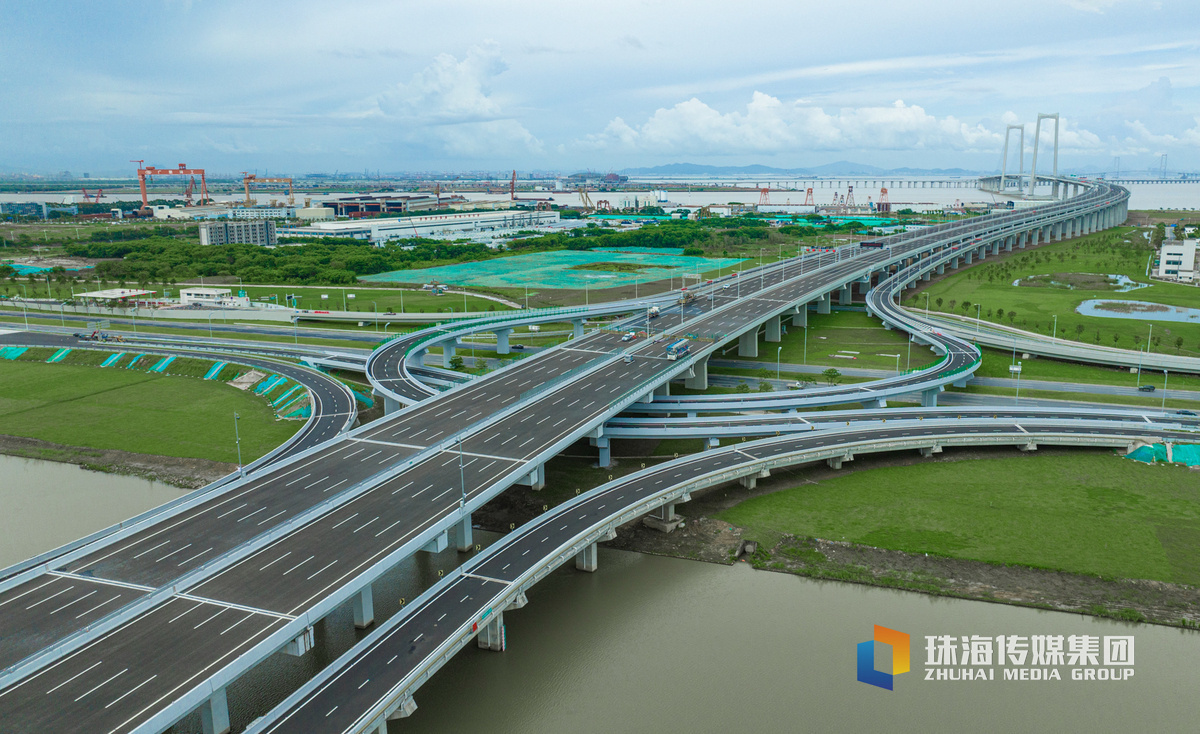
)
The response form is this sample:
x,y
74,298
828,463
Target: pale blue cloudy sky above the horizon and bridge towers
x,y
305,87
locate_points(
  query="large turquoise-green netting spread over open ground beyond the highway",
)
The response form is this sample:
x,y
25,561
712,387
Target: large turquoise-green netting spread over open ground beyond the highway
x,y
561,270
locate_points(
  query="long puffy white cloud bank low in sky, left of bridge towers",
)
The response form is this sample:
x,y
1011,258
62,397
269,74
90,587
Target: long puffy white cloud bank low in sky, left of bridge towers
x,y
769,125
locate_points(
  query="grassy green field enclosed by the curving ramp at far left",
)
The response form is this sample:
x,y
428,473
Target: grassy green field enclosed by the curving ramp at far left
x,y
136,412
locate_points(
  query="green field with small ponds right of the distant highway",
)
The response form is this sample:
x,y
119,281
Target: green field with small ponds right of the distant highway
x,y
1034,308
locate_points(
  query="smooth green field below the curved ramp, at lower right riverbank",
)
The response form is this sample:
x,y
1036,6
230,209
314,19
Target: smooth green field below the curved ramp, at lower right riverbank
x,y
1088,514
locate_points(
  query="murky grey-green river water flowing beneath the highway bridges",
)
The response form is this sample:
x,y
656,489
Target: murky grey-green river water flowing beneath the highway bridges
x,y
659,645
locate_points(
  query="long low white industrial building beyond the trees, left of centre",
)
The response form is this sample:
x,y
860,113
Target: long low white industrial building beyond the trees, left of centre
x,y
448,226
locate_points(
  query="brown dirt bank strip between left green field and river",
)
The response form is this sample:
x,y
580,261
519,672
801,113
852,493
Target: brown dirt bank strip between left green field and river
x,y
185,473
